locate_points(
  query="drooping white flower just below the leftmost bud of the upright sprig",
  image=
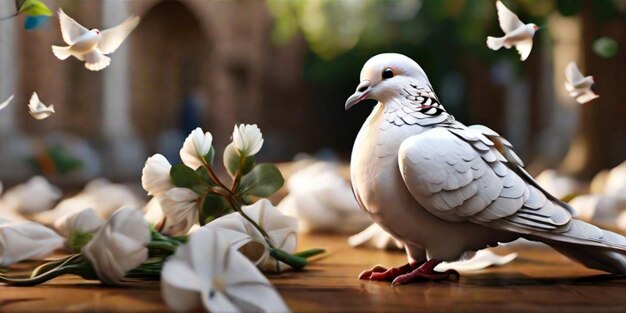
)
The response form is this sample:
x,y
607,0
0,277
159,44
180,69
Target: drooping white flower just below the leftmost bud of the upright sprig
x,y
180,208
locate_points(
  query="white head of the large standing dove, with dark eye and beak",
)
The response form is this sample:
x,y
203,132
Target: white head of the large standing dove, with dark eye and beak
x,y
386,77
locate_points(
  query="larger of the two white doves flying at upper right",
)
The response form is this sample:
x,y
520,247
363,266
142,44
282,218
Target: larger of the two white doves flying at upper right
x,y
516,33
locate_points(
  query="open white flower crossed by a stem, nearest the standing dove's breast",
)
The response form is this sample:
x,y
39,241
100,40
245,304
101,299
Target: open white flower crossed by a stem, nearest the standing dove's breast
x,y
280,228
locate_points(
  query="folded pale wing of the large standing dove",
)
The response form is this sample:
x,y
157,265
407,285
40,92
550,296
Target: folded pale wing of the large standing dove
x,y
460,174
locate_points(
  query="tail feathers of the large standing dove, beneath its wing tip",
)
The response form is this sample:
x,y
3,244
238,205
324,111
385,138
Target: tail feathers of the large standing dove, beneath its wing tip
x,y
590,245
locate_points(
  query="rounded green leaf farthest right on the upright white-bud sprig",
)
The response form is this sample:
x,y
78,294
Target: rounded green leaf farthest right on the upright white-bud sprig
x,y
263,181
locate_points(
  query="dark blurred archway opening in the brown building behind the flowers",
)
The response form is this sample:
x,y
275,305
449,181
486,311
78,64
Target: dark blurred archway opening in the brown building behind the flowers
x,y
170,58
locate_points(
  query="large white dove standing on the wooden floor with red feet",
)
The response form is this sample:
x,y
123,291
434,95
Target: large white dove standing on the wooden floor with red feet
x,y
445,189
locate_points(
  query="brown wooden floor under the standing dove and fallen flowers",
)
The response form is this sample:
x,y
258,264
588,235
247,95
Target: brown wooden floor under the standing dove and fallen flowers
x,y
540,280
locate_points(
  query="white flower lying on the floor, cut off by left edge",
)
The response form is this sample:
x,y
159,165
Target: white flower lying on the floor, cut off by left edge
x,y
26,240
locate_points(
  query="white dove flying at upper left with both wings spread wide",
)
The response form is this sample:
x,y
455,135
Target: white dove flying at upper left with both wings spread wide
x,y
92,45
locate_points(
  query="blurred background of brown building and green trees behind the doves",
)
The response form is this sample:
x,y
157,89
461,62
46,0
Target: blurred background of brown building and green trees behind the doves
x,y
288,66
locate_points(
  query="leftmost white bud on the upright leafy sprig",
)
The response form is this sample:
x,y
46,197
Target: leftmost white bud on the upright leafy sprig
x,y
155,177
